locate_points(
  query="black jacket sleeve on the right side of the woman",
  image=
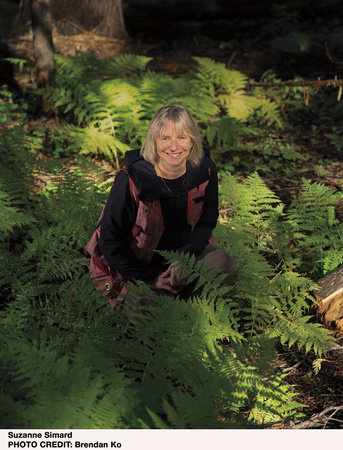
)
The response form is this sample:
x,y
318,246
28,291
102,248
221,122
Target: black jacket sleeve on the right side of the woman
x,y
201,234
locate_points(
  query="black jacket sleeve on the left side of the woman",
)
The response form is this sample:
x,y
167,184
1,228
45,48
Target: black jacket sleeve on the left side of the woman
x,y
115,229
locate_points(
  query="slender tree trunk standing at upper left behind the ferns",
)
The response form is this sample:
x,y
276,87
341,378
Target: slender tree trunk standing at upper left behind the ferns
x,y
43,46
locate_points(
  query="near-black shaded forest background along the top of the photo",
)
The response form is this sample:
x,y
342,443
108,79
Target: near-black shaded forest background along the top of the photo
x,y
240,31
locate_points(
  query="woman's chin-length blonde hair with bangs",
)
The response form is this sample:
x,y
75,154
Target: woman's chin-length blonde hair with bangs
x,y
183,122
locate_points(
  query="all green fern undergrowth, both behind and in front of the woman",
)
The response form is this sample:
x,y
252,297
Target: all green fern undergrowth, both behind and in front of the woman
x,y
68,359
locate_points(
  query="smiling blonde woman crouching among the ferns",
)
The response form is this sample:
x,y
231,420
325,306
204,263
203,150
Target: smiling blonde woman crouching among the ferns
x,y
165,199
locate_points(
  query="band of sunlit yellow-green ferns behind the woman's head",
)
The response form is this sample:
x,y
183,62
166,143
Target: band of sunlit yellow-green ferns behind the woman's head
x,y
111,101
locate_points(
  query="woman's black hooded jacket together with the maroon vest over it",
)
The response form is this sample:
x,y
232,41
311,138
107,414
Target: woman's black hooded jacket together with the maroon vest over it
x,y
143,213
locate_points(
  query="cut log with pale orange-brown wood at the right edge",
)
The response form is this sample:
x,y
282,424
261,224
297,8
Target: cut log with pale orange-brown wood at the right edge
x,y
330,298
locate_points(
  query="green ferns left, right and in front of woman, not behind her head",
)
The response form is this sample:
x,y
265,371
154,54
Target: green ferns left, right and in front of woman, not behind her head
x,y
70,361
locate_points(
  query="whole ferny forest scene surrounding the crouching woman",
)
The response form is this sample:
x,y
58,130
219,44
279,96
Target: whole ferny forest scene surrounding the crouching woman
x,y
264,82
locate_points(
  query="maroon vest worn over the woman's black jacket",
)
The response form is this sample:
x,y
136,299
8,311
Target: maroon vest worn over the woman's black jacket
x,y
144,239
